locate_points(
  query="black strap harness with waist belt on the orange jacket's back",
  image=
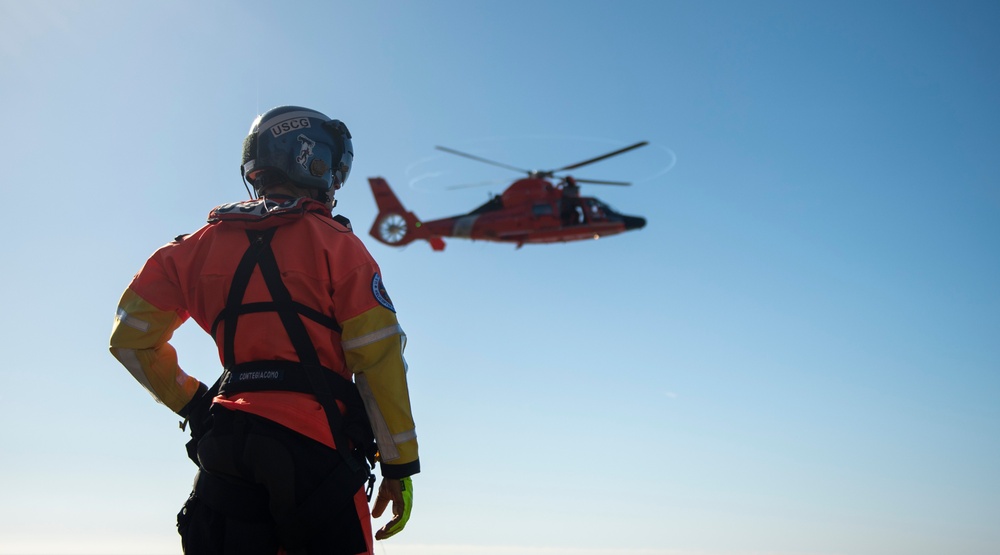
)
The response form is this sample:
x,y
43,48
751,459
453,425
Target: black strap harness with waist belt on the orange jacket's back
x,y
305,376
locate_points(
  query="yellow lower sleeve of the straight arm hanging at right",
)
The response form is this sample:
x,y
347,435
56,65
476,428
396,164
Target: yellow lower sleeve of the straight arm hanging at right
x,y
373,345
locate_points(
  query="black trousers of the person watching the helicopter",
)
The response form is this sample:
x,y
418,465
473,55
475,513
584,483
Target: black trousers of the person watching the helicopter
x,y
262,487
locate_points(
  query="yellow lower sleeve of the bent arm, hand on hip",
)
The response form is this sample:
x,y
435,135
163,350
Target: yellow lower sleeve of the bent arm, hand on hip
x,y
139,340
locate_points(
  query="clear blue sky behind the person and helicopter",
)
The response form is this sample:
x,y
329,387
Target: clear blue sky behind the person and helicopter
x,y
800,353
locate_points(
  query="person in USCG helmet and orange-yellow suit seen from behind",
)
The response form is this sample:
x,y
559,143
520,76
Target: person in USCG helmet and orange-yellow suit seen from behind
x,y
297,307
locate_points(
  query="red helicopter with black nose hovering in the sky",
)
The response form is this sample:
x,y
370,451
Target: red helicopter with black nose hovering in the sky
x,y
541,208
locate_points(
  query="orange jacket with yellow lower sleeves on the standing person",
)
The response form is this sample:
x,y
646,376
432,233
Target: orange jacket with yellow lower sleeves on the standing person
x,y
333,294
